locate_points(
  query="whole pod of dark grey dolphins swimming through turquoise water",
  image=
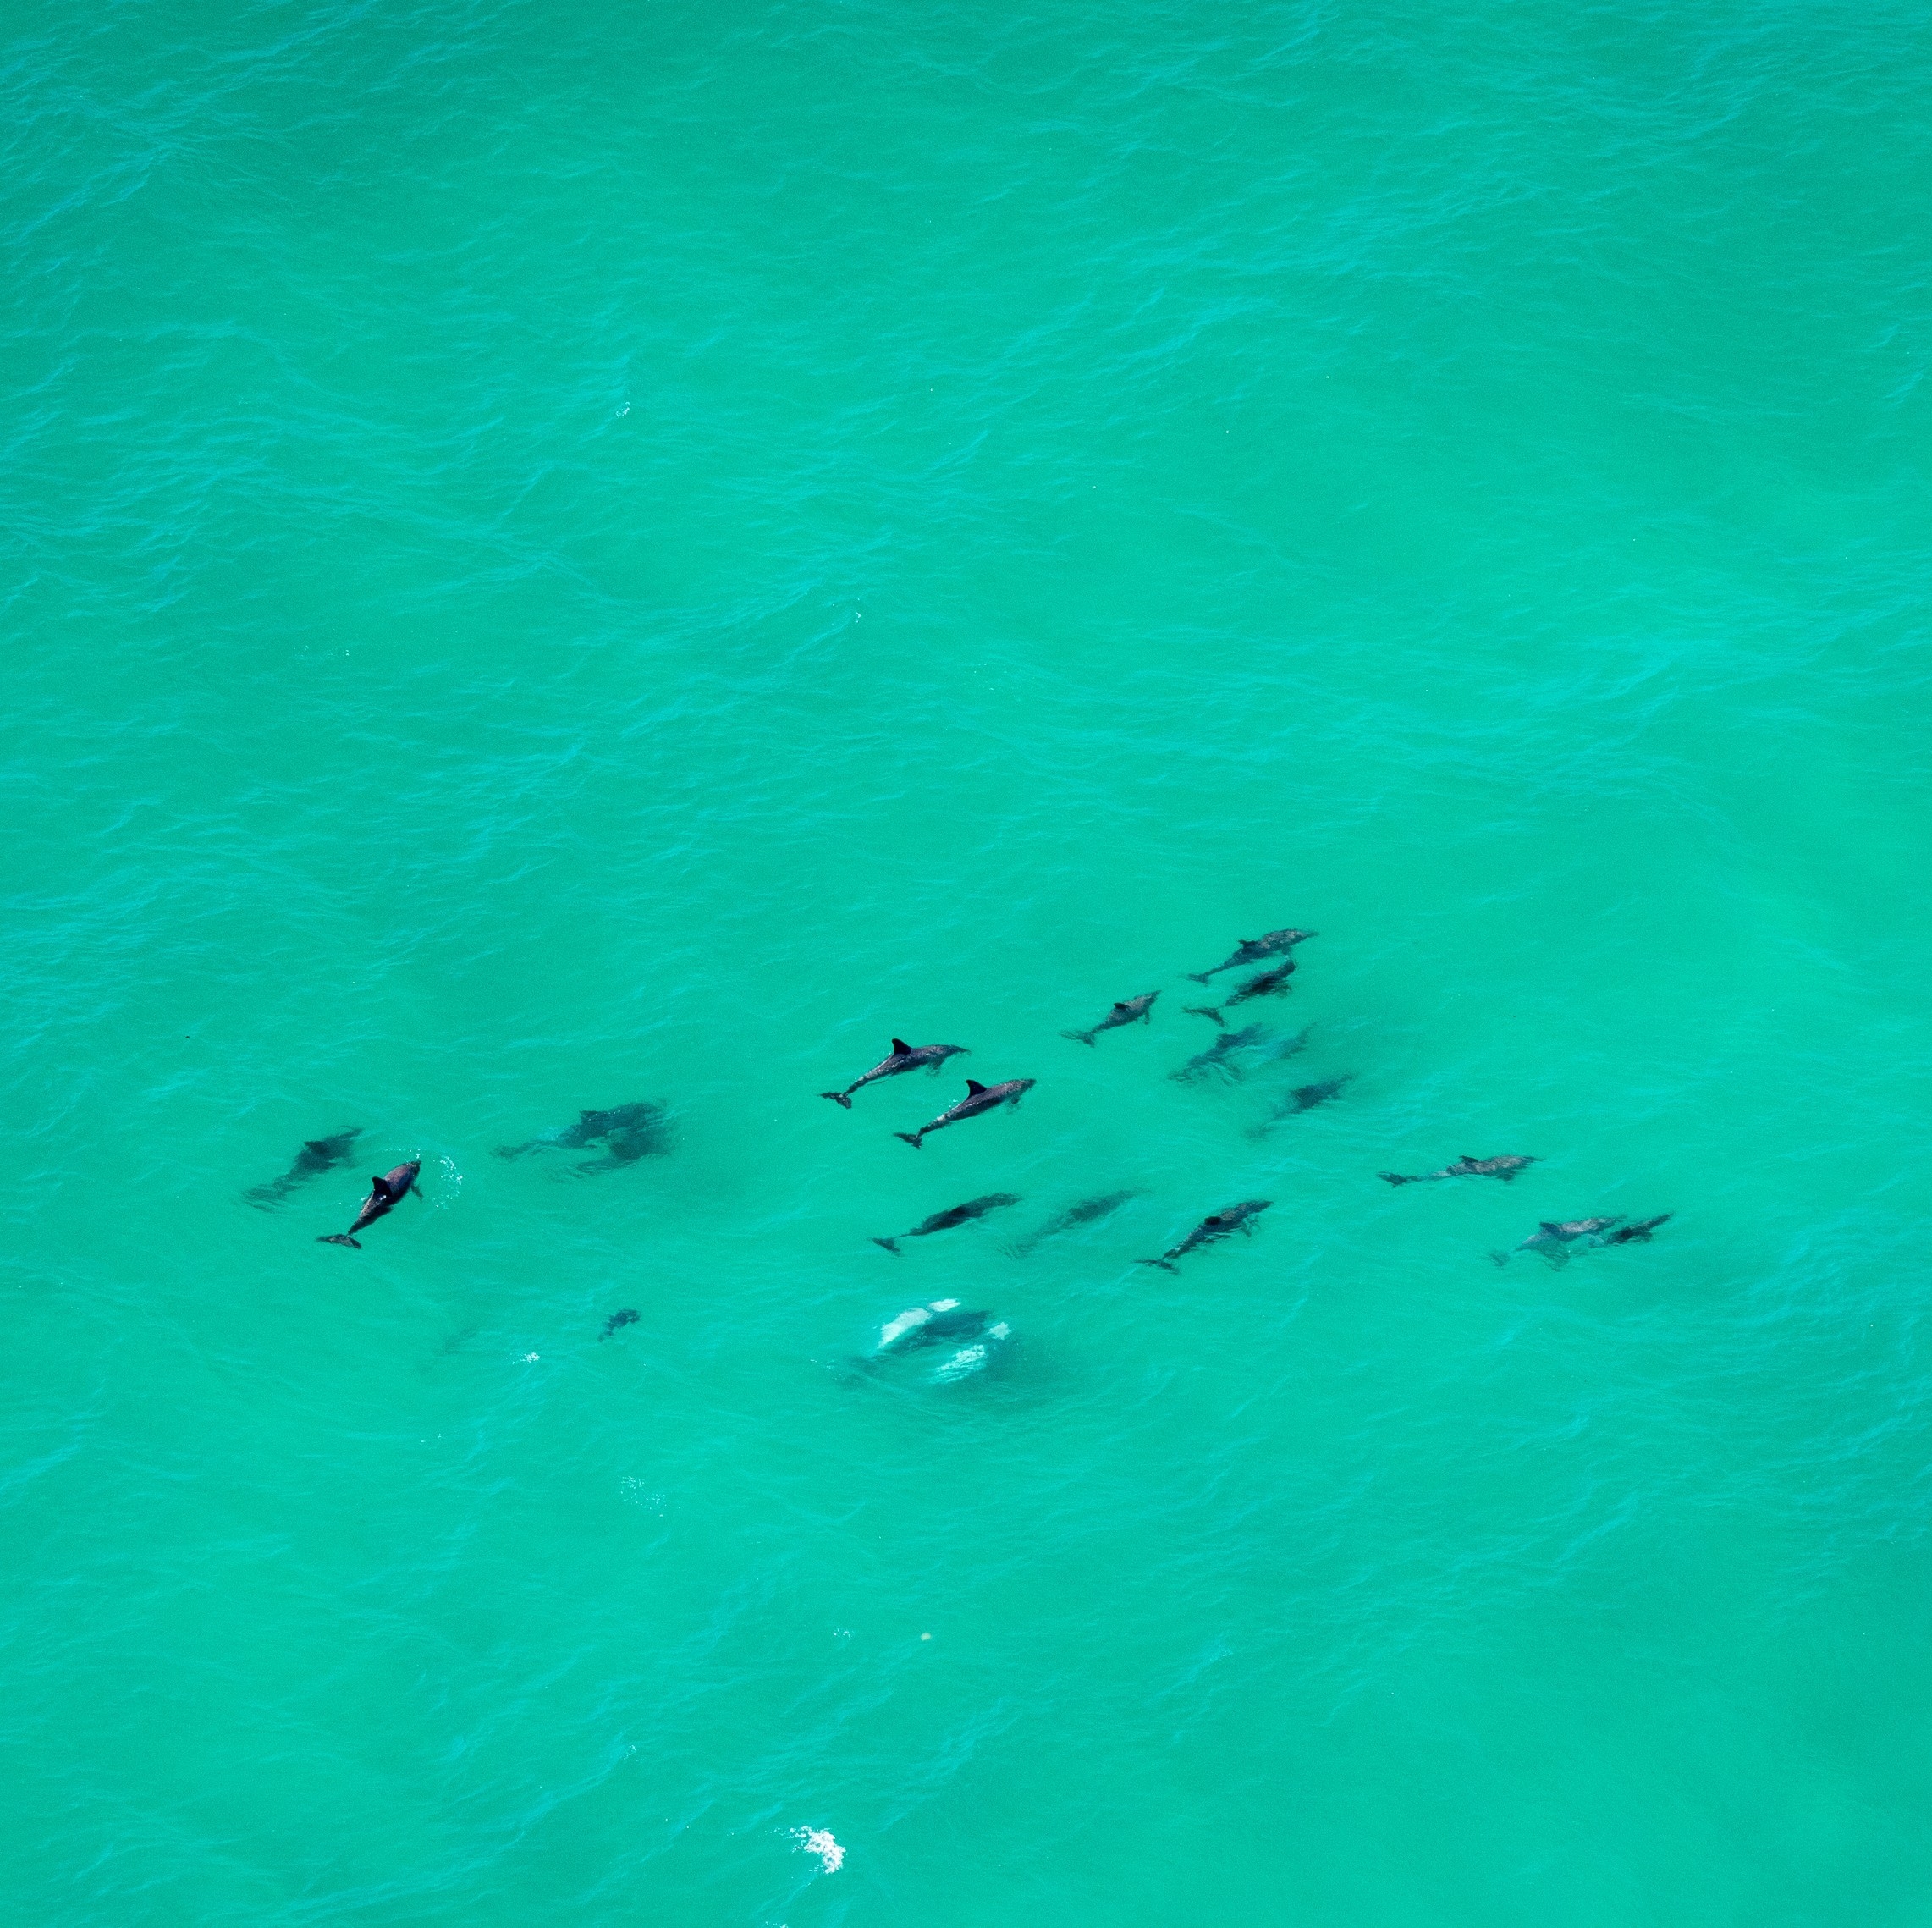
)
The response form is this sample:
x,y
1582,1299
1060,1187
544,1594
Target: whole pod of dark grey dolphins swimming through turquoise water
x,y
629,1133
